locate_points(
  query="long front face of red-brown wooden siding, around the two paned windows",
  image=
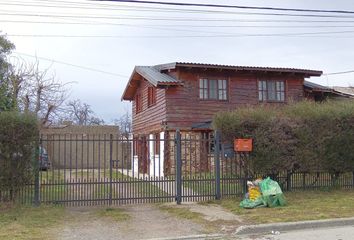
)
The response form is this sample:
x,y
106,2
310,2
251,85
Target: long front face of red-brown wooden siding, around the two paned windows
x,y
185,108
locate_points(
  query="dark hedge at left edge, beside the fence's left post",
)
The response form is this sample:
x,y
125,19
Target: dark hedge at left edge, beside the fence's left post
x,y
18,137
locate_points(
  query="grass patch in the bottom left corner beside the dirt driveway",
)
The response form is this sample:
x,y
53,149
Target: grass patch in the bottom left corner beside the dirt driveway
x,y
19,222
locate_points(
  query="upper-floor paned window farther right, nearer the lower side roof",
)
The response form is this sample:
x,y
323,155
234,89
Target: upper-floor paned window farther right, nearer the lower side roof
x,y
270,90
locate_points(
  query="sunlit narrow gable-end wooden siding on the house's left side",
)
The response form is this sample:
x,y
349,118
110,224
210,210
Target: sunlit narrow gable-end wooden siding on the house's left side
x,y
150,118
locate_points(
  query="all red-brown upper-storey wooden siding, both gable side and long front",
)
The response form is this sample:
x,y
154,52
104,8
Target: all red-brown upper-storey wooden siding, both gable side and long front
x,y
180,106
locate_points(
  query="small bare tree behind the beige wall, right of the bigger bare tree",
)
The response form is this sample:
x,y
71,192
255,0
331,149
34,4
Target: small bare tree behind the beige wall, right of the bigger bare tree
x,y
81,113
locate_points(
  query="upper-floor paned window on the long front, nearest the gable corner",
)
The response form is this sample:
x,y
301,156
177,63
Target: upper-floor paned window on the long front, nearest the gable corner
x,y
213,89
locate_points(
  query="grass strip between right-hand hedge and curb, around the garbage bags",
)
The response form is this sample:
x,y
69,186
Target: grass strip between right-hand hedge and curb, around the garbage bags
x,y
305,205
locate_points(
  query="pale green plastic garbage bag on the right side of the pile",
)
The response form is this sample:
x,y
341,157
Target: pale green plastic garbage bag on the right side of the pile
x,y
271,193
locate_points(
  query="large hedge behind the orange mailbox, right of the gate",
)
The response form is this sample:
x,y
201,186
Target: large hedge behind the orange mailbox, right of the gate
x,y
305,136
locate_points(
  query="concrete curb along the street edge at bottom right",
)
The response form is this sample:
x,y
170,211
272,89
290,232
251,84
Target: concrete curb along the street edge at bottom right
x,y
283,227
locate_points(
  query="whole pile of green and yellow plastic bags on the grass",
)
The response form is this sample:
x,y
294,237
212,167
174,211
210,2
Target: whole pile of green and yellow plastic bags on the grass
x,y
263,193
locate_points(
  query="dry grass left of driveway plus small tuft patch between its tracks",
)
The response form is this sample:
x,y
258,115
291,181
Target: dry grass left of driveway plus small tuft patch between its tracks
x,y
31,223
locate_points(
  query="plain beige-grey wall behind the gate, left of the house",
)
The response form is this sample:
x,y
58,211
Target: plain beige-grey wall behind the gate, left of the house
x,y
85,147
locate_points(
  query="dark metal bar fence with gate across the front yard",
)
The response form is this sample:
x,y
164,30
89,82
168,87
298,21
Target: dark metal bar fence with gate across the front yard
x,y
103,170
